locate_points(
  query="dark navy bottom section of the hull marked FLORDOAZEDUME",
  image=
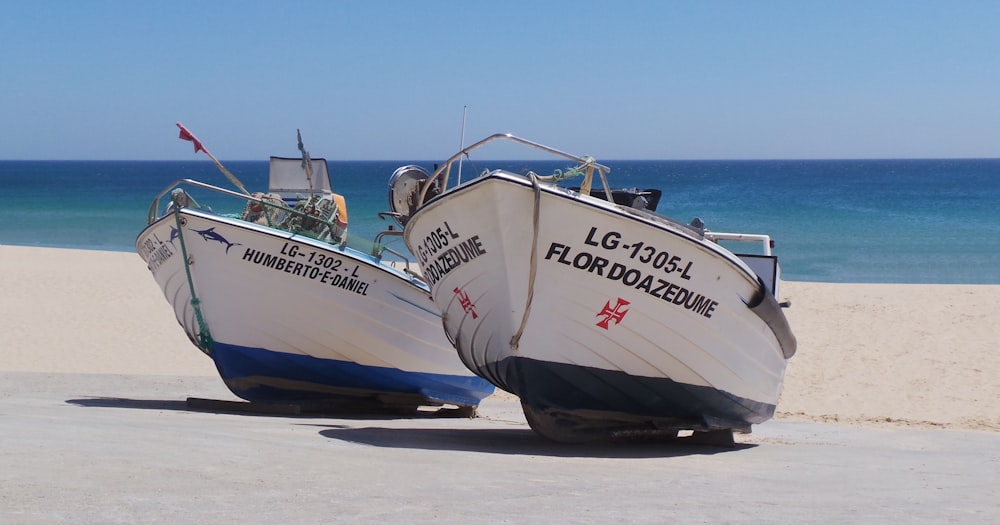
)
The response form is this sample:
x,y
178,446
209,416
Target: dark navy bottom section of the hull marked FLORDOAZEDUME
x,y
565,402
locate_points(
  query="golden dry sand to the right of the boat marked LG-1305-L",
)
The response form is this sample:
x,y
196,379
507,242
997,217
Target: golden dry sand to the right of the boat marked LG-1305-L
x,y
926,355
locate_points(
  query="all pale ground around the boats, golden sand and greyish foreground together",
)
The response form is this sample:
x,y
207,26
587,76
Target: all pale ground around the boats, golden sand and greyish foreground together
x,y
890,409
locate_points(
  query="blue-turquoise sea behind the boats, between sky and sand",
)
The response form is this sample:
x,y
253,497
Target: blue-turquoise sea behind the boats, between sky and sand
x,y
864,221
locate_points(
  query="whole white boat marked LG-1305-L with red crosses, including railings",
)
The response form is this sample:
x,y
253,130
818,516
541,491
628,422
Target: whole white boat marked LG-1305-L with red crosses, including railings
x,y
604,319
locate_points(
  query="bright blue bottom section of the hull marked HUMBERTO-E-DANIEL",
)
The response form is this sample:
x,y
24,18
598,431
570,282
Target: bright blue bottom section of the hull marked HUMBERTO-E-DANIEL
x,y
262,375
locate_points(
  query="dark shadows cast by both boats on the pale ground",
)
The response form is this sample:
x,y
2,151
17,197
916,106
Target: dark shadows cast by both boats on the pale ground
x,y
512,441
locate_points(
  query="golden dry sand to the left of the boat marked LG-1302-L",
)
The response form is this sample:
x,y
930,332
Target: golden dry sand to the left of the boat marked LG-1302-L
x,y
88,312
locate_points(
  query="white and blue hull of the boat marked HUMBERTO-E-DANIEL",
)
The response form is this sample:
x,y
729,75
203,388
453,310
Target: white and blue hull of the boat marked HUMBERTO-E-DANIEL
x,y
285,316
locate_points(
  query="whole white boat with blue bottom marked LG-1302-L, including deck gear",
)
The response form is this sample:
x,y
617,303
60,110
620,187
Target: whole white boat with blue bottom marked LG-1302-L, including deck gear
x,y
292,310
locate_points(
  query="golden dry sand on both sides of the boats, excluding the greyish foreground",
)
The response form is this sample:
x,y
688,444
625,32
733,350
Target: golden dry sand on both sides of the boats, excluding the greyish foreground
x,y
869,354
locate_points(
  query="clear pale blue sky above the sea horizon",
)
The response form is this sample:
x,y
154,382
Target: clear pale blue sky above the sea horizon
x,y
388,80
